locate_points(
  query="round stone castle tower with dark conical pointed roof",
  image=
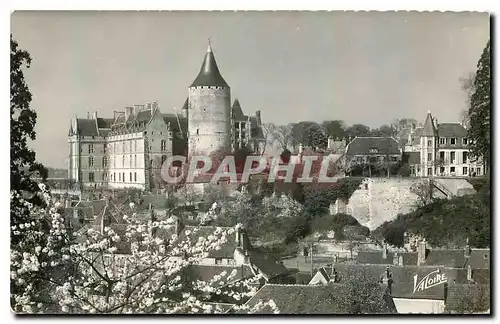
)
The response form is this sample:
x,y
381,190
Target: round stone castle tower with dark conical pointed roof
x,y
209,99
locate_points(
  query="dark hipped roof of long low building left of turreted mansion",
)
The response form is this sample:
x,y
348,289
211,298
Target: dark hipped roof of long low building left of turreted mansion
x,y
362,146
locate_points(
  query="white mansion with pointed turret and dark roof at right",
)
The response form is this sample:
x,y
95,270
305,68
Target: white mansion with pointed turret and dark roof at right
x,y
440,149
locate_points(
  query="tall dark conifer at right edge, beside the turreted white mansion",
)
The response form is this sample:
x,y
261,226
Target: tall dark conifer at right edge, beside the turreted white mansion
x,y
480,109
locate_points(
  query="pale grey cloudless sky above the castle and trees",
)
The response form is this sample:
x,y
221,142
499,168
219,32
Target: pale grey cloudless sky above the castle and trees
x,y
359,67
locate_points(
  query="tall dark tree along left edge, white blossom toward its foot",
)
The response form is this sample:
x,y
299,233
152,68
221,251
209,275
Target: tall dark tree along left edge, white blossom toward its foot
x,y
29,225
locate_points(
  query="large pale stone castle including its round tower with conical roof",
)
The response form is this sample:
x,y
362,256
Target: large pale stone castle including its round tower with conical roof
x,y
128,150
